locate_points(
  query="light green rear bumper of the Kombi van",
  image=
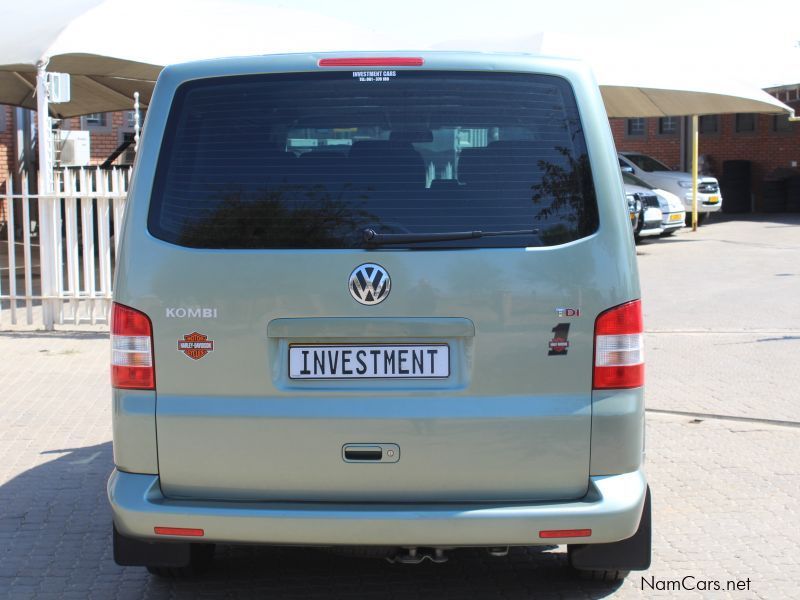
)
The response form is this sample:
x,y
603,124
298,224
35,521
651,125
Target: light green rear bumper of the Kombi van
x,y
612,509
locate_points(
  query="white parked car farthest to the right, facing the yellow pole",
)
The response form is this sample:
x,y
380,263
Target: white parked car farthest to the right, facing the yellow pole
x,y
659,175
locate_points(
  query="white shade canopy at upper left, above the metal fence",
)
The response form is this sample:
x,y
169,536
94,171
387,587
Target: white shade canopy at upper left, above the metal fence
x,y
113,48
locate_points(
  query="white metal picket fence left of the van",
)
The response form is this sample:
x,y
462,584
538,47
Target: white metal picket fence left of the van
x,y
61,249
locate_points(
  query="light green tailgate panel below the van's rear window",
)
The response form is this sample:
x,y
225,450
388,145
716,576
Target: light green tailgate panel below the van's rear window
x,y
511,420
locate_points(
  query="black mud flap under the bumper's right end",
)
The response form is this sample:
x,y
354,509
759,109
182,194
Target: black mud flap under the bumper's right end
x,y
632,554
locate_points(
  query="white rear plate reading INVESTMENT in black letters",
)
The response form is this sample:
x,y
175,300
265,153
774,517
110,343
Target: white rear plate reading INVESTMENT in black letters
x,y
379,361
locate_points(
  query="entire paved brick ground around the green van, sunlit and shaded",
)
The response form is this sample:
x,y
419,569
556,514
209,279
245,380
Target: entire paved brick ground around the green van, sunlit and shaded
x,y
724,492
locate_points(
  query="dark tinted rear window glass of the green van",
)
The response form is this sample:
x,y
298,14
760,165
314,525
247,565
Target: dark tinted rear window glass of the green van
x,y
311,160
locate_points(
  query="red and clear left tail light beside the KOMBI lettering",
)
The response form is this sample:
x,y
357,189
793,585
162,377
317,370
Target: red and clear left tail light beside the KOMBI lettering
x,y
131,349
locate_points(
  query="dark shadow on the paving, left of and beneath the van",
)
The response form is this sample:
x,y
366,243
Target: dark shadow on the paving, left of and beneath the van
x,y
55,527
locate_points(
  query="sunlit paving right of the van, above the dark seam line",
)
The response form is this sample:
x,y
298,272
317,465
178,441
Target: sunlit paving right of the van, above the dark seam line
x,y
722,308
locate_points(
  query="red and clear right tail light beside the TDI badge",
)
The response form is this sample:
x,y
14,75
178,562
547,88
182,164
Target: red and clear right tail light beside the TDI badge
x,y
619,347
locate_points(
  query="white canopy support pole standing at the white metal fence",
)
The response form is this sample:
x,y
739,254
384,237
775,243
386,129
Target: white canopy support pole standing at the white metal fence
x,y
46,202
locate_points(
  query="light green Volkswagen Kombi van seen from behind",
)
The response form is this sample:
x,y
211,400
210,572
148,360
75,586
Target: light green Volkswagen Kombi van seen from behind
x,y
378,300
